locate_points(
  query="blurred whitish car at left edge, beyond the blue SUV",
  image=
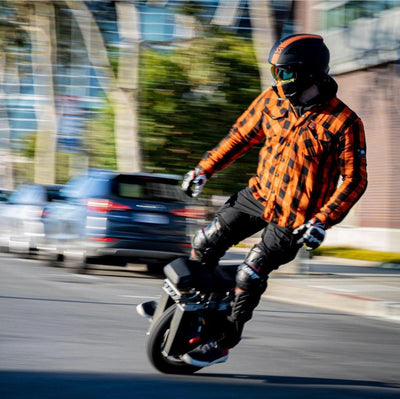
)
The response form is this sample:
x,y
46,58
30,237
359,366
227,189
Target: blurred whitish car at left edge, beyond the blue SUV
x,y
21,226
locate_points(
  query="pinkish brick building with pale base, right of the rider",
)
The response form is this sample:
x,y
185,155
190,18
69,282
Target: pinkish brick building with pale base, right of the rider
x,y
363,37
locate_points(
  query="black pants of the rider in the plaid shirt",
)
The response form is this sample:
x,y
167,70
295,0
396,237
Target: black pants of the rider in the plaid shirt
x,y
241,217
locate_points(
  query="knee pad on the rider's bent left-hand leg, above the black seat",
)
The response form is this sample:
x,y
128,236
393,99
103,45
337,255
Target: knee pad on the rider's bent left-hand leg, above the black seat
x,y
210,243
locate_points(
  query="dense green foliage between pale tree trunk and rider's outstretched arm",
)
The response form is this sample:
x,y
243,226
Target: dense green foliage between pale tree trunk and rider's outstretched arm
x,y
190,97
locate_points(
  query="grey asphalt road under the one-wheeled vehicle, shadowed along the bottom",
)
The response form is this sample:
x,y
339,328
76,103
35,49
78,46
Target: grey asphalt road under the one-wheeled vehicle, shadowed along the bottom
x,y
64,335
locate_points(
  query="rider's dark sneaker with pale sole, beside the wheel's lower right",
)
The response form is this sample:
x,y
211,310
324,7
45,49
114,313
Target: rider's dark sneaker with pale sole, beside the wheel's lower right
x,y
206,354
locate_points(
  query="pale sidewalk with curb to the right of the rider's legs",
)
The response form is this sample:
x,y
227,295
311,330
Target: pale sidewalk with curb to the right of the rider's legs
x,y
364,288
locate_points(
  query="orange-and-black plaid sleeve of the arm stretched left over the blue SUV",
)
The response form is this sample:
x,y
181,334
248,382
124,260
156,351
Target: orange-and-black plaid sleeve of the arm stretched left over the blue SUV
x,y
244,134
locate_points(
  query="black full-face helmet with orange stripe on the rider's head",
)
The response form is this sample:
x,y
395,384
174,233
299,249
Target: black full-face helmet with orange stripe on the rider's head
x,y
297,62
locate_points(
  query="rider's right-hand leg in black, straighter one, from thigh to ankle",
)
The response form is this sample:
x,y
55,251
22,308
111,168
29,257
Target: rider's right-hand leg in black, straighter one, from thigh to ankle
x,y
276,248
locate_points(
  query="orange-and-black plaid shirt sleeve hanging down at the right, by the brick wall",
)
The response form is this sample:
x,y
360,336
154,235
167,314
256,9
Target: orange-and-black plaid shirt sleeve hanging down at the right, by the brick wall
x,y
353,169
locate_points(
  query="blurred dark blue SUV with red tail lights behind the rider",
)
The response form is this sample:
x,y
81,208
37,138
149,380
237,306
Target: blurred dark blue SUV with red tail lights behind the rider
x,y
119,218
